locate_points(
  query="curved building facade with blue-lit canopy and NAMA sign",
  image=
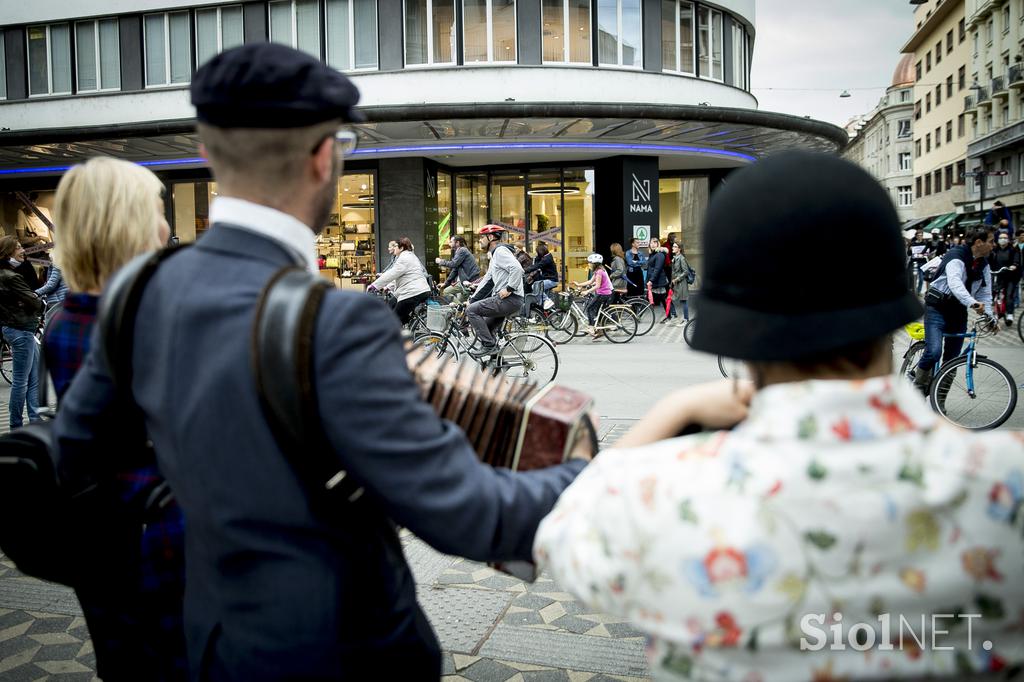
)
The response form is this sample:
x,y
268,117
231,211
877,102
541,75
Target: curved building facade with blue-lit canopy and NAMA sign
x,y
577,123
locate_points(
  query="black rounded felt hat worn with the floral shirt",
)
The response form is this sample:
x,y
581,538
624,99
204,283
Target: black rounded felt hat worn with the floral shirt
x,y
803,255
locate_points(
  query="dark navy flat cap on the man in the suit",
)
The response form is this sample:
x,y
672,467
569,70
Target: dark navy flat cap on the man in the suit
x,y
267,86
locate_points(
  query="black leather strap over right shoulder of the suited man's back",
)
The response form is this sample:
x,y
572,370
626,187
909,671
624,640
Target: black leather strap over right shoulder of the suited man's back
x,y
283,359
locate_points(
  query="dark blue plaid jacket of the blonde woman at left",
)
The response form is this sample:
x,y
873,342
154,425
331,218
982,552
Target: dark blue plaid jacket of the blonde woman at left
x,y
141,636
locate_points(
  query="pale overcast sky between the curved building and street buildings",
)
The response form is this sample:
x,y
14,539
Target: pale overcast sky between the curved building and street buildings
x,y
808,52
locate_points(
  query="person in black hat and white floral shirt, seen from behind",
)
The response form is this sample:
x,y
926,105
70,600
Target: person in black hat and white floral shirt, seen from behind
x,y
780,545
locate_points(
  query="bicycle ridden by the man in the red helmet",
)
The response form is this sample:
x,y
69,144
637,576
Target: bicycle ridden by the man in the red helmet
x,y
524,357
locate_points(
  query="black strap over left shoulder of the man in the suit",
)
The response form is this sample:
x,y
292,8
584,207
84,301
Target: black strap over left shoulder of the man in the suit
x,y
118,308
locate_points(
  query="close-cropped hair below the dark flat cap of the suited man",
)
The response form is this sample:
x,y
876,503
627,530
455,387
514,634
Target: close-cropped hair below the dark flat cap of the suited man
x,y
268,161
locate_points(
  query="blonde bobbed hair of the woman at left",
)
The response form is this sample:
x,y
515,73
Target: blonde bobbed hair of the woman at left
x,y
106,215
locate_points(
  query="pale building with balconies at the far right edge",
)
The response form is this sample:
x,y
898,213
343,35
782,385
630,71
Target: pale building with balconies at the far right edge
x,y
996,105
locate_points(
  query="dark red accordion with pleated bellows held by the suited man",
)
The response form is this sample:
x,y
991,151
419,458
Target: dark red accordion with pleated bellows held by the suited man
x,y
513,424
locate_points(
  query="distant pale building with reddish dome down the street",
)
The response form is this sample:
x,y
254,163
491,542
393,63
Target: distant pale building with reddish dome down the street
x,y
882,142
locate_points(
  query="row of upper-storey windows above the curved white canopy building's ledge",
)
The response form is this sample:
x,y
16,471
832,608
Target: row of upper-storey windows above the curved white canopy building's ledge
x,y
84,57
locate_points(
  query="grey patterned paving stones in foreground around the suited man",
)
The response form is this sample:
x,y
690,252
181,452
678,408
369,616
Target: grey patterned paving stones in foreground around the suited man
x,y
493,627
